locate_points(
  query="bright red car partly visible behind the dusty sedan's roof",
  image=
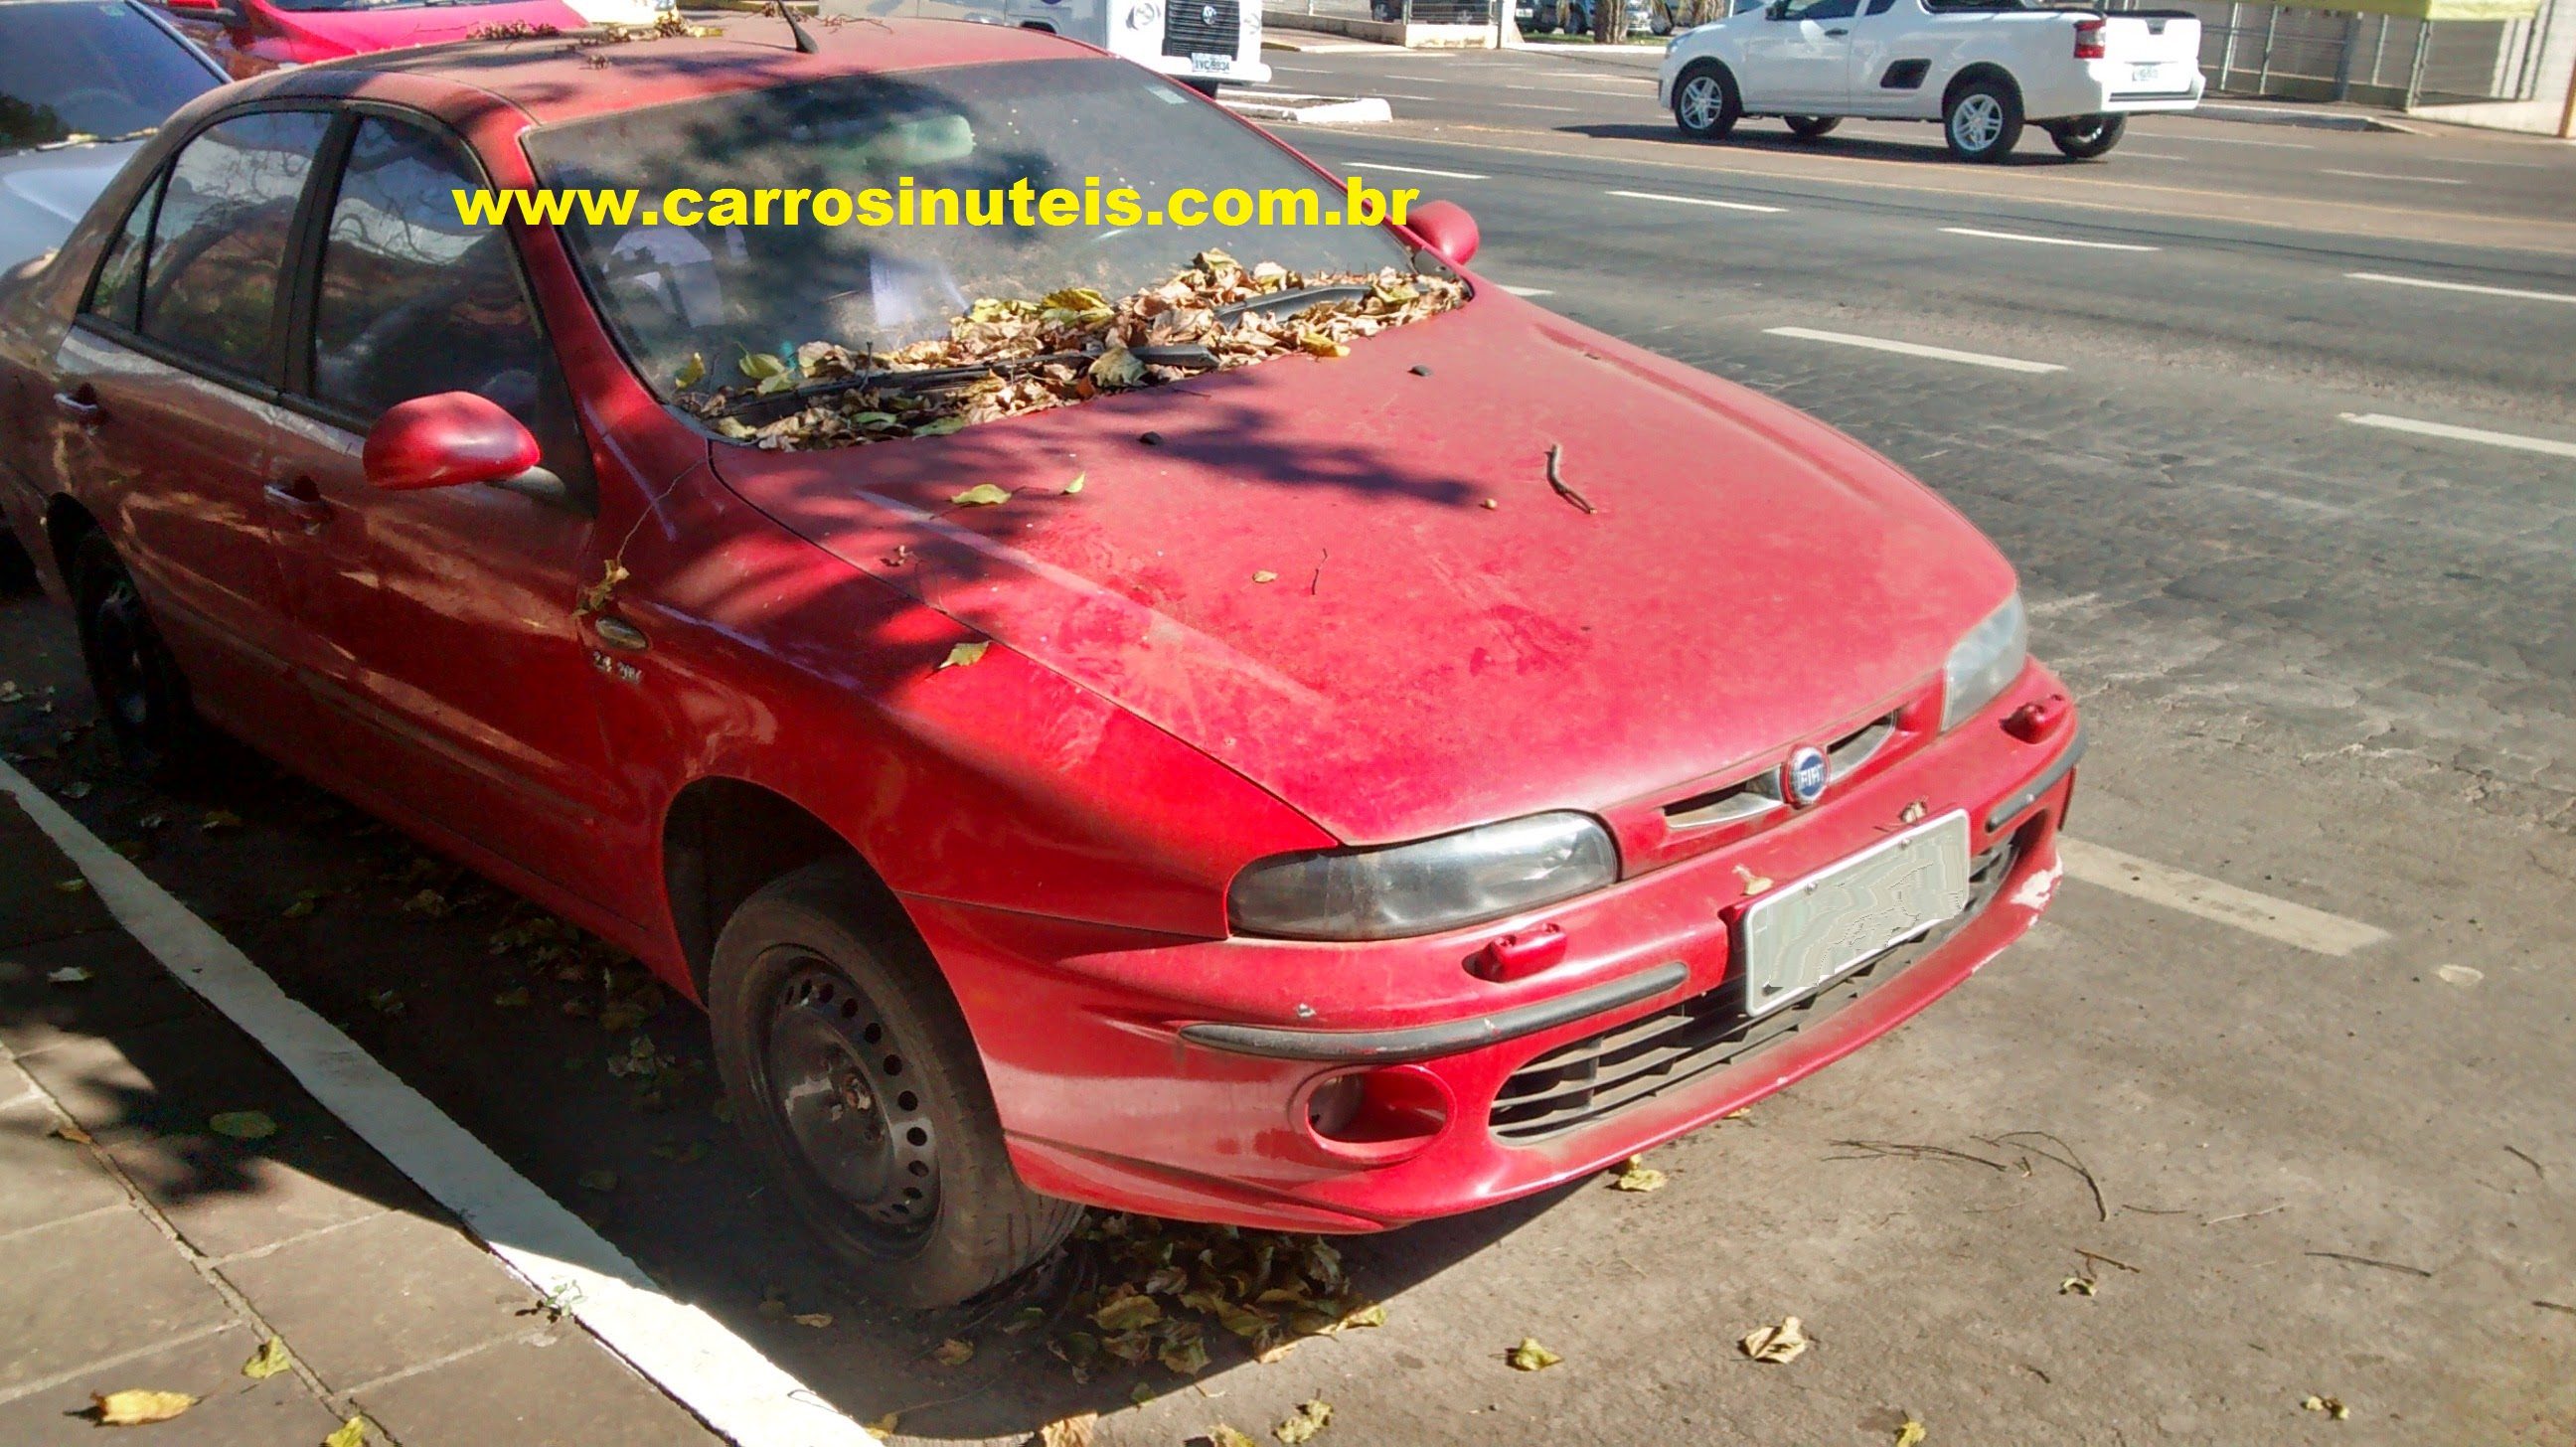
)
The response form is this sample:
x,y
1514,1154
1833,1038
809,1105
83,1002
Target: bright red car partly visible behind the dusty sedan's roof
x,y
264,35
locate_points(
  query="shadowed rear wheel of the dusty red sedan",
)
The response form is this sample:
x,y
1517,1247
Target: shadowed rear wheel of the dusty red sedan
x,y
143,696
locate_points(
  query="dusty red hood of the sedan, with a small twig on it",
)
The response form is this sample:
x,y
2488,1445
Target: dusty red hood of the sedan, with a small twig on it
x,y
1421,660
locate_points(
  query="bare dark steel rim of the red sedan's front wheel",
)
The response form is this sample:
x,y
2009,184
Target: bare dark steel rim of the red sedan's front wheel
x,y
849,1098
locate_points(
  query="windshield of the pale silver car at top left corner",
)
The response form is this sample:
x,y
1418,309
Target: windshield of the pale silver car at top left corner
x,y
89,71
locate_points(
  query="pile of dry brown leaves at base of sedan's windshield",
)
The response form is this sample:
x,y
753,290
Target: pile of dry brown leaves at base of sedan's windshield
x,y
1073,346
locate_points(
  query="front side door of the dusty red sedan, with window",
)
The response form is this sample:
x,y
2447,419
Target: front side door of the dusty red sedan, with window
x,y
442,635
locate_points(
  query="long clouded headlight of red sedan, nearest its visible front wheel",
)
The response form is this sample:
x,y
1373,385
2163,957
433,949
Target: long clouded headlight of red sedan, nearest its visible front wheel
x,y
1434,884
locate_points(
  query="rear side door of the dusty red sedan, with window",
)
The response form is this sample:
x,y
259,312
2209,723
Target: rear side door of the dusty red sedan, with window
x,y
164,395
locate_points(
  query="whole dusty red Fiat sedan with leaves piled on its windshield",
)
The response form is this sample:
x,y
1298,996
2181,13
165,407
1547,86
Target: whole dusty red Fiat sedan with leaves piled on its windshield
x,y
1315,820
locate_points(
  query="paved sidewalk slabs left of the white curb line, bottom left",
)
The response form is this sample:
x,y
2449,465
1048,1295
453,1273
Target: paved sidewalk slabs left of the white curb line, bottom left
x,y
148,1250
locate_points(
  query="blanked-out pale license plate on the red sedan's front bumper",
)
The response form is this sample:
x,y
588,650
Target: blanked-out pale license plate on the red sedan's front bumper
x,y
1815,931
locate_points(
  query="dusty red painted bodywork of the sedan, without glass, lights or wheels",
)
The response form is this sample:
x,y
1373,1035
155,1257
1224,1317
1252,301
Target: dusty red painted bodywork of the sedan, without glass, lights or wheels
x,y
1063,817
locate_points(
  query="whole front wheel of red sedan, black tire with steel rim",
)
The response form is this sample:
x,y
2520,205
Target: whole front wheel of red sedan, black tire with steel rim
x,y
862,1090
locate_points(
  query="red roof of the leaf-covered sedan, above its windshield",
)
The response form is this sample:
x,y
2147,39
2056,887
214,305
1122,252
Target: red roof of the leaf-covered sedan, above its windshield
x,y
568,76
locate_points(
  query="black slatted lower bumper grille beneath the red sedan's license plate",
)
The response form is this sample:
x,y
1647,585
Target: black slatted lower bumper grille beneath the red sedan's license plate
x,y
1591,1080
